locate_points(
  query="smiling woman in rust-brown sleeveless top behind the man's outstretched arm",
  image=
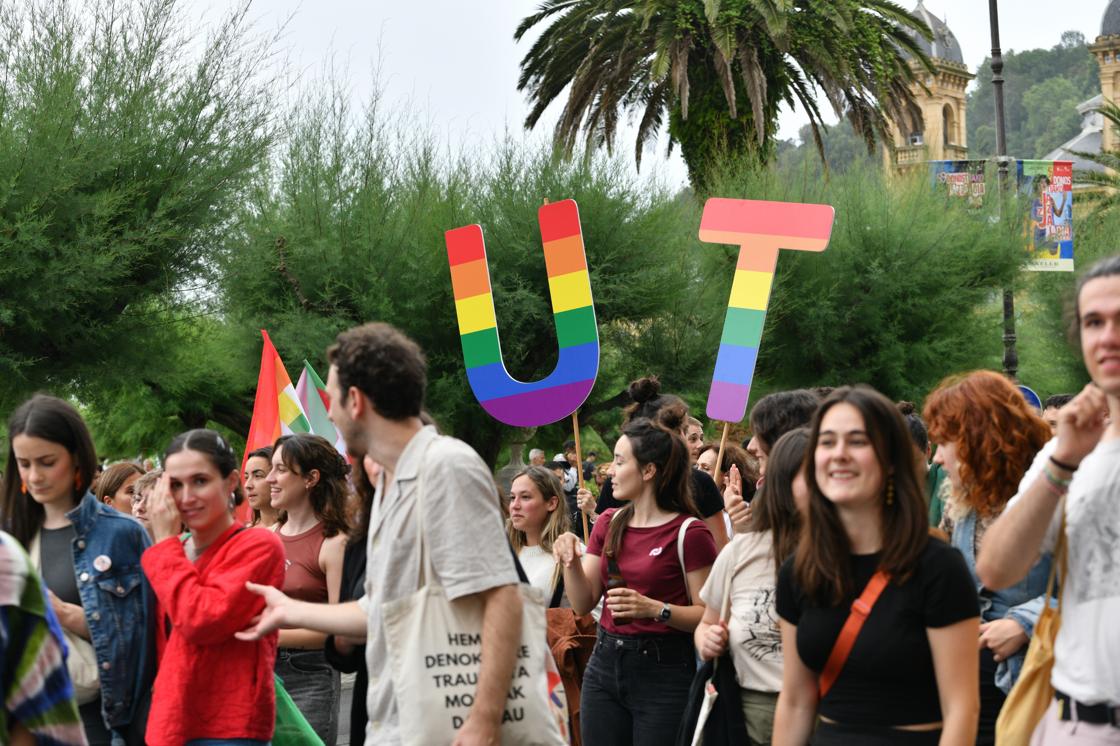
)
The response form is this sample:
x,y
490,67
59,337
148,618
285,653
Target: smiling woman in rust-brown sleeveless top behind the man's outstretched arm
x,y
309,488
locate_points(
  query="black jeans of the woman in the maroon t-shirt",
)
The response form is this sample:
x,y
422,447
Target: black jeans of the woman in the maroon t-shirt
x,y
636,689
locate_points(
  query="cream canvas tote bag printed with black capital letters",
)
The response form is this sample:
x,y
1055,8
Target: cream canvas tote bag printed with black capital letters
x,y
435,648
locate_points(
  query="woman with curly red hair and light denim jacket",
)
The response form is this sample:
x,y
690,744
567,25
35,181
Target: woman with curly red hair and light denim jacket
x,y
987,437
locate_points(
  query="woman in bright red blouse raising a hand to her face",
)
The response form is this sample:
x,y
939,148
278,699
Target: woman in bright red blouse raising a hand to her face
x,y
201,588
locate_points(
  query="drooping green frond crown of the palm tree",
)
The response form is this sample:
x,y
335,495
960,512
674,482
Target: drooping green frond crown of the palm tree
x,y
696,62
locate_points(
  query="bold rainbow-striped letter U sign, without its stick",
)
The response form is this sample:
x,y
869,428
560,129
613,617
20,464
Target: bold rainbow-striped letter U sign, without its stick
x,y
563,391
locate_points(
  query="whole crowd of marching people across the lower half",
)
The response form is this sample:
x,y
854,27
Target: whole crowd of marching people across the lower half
x,y
864,572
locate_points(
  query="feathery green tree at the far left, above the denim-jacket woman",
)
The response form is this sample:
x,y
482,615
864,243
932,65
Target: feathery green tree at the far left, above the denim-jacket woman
x,y
123,160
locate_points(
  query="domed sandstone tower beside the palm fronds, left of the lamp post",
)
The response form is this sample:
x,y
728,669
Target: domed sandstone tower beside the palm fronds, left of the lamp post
x,y
942,134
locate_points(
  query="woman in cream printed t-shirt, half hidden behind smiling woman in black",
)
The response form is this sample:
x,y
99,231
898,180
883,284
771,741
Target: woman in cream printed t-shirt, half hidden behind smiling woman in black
x,y
753,561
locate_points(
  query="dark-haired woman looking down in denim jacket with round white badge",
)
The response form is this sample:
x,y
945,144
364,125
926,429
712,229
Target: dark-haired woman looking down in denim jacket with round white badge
x,y
90,561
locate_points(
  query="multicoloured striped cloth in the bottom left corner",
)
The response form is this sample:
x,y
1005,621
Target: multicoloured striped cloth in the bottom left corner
x,y
36,688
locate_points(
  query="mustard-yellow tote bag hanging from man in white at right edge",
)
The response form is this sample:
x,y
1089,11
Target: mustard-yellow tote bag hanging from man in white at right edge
x,y
1033,693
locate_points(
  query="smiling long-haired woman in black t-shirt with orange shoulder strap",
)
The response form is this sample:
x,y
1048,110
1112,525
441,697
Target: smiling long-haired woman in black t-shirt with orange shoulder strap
x,y
909,676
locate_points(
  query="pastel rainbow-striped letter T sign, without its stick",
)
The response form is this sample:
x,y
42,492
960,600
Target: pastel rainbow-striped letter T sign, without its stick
x,y
761,230
